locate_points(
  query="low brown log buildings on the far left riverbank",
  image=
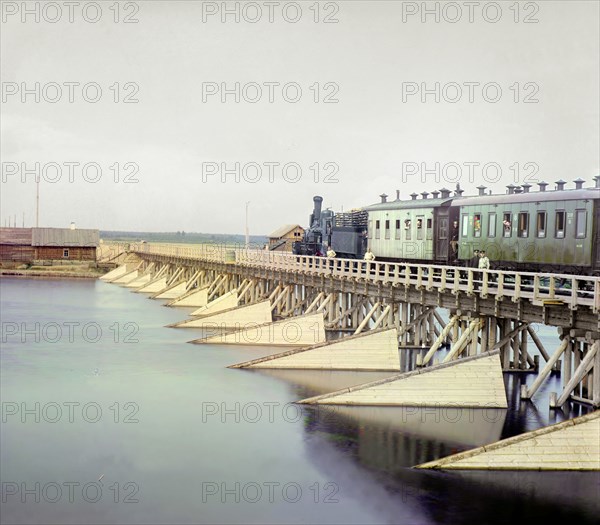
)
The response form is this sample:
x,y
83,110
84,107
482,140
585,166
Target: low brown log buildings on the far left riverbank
x,y
29,245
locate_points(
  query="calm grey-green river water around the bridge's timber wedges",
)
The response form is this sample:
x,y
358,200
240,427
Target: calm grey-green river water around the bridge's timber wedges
x,y
110,417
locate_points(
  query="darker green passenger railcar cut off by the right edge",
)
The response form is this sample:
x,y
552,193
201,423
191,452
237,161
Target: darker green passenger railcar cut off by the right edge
x,y
542,231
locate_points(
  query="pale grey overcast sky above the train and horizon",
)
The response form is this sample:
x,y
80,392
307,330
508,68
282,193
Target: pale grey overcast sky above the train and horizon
x,y
371,61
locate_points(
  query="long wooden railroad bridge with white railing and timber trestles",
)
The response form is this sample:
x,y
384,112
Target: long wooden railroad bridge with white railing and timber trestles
x,y
432,308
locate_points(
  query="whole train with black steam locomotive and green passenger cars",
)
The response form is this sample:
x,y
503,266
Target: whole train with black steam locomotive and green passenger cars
x,y
556,231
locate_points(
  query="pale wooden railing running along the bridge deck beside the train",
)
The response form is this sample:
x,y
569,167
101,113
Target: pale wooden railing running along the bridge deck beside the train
x,y
540,288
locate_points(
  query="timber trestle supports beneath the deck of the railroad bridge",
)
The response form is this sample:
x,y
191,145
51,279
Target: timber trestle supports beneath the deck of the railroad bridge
x,y
421,328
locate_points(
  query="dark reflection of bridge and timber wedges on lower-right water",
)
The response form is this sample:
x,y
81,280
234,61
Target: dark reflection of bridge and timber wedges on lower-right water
x,y
388,441
